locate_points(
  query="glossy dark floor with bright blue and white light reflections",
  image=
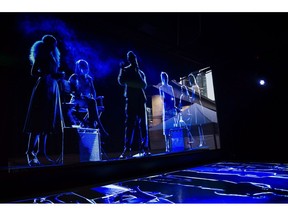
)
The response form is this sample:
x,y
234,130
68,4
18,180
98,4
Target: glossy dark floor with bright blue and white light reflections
x,y
223,182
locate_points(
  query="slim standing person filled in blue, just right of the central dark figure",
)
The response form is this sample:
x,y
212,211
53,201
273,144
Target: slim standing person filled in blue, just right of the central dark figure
x,y
169,109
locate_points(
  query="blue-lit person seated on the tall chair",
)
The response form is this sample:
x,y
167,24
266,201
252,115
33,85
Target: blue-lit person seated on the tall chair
x,y
84,95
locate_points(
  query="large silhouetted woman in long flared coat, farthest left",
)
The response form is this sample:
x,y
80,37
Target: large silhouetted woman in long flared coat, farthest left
x,y
44,115
